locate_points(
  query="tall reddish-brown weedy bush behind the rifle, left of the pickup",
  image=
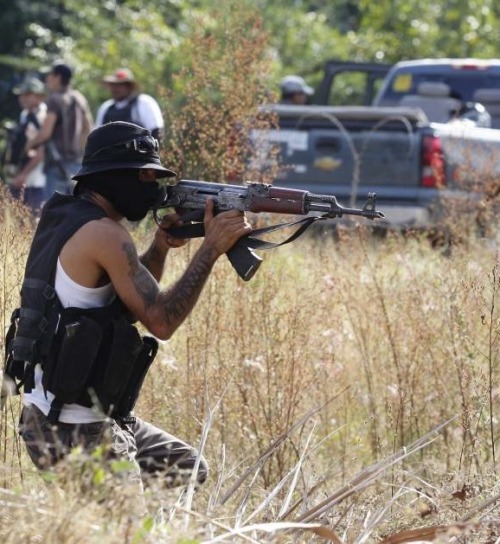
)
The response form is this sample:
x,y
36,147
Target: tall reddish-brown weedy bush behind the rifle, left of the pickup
x,y
221,89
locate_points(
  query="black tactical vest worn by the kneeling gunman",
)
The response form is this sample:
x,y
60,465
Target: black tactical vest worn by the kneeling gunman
x,y
88,356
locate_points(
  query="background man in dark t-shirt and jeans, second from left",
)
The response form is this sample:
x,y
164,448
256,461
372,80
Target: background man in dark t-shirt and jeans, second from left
x,y
64,130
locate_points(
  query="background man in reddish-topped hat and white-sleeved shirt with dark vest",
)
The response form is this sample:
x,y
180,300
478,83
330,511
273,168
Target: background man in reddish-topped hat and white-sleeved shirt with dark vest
x,y
127,104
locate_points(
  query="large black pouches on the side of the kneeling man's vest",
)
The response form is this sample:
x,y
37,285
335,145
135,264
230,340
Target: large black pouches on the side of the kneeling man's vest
x,y
100,364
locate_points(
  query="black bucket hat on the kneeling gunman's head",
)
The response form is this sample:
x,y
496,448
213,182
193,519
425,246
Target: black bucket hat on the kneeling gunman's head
x,y
118,146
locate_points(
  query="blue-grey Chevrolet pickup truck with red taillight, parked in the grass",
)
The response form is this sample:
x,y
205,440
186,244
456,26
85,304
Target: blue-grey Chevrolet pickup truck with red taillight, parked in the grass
x,y
417,167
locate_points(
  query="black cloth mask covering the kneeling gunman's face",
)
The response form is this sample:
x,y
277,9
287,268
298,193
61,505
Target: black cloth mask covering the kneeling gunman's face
x,y
131,197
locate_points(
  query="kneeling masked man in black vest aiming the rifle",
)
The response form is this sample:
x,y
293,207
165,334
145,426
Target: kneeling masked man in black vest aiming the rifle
x,y
84,286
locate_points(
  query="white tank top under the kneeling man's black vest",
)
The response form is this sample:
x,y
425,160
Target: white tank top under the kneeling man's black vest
x,y
71,294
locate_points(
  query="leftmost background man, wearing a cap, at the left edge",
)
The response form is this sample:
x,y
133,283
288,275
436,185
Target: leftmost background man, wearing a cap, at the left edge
x,y
28,178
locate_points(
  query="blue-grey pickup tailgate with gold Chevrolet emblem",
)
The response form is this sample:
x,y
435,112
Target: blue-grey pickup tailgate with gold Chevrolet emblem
x,y
348,152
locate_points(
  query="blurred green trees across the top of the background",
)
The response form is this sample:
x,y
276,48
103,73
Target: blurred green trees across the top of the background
x,y
152,38
